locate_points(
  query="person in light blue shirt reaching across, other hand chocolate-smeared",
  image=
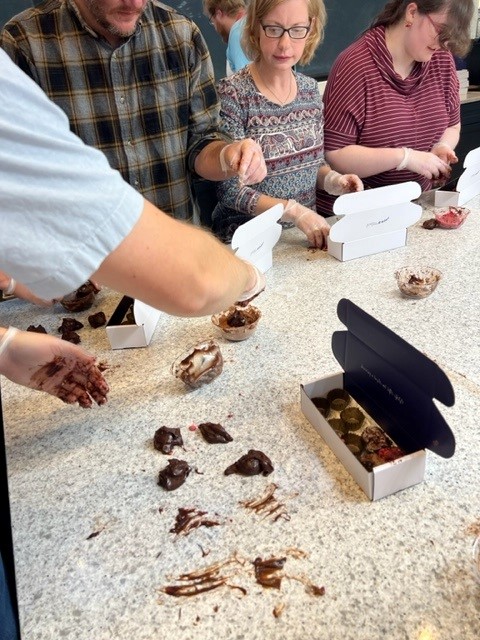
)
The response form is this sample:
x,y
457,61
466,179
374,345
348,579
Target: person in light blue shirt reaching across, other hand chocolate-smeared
x,y
49,177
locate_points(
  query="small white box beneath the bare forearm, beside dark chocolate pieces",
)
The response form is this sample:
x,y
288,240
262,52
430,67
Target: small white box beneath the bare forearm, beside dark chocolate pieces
x,y
127,336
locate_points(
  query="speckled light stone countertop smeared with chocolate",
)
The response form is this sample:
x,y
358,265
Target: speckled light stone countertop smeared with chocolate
x,y
400,568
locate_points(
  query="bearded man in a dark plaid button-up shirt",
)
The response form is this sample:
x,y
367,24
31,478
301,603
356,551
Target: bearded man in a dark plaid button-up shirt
x,y
136,81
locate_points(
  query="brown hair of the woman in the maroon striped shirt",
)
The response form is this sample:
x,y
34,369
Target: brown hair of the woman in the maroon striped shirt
x,y
454,37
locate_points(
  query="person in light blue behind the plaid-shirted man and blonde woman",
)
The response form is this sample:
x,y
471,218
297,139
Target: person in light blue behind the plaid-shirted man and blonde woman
x,y
228,19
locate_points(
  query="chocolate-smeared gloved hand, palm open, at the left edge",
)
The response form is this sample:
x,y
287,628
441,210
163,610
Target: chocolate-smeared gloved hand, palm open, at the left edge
x,y
58,367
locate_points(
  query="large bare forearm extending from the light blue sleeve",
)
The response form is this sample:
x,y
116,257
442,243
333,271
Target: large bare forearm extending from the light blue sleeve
x,y
175,267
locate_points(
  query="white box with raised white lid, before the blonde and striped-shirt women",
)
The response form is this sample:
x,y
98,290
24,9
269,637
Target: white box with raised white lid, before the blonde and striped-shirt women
x,y
374,220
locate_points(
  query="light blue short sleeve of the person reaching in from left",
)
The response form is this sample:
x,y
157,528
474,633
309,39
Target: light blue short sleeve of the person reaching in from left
x,y
63,209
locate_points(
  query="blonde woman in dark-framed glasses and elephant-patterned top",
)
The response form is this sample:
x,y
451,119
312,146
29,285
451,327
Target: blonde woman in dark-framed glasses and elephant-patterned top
x,y
282,110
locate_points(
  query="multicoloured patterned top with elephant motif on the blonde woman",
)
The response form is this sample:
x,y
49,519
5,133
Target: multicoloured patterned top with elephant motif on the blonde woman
x,y
291,137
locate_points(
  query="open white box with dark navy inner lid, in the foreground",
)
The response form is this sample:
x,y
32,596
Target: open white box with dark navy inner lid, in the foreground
x,y
395,385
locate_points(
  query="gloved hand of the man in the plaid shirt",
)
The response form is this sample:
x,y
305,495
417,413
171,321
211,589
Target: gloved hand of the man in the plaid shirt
x,y
245,158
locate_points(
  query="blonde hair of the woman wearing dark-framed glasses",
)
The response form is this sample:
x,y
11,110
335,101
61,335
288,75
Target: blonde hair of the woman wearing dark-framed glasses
x,y
258,9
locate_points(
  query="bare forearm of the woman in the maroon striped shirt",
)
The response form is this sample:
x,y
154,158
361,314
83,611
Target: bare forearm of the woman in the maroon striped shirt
x,y
364,161
